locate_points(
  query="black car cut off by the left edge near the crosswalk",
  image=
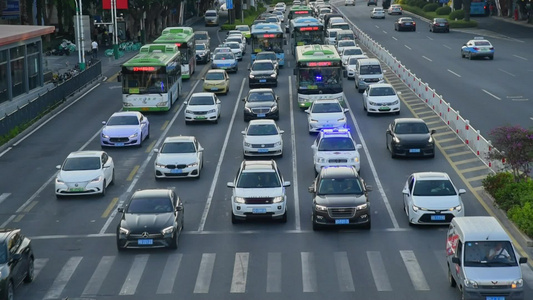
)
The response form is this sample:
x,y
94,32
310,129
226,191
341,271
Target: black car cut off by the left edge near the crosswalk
x,y
16,261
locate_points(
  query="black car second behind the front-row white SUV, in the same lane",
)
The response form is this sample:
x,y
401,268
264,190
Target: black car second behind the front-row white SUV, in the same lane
x,y
261,104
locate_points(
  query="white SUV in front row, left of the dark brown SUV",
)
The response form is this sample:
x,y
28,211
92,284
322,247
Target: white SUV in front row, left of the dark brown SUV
x,y
258,191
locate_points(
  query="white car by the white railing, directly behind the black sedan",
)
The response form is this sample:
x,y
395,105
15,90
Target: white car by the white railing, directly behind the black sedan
x,y
381,98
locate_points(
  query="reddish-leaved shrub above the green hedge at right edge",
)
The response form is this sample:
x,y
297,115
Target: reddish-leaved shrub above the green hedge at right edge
x,y
515,146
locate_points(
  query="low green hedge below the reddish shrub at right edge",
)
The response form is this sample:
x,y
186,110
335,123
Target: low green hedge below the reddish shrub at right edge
x,y
515,198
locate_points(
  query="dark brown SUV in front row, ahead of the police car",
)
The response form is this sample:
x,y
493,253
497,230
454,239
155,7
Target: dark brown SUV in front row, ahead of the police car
x,y
340,198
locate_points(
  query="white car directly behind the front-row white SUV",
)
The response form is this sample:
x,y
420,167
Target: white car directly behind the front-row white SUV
x,y
262,138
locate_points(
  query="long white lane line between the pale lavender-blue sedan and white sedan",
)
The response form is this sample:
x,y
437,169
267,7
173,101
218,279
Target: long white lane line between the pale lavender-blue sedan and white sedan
x,y
140,171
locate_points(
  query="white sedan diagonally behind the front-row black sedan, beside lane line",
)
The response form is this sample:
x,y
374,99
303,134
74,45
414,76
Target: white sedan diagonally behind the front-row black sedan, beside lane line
x,y
179,156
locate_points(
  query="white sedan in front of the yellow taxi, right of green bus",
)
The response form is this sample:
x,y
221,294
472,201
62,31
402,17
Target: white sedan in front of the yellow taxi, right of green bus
x,y
202,107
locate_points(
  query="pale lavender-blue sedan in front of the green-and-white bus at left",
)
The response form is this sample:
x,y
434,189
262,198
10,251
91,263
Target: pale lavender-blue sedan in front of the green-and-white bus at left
x,y
128,128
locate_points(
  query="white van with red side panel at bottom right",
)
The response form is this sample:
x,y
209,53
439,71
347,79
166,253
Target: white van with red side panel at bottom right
x,y
482,261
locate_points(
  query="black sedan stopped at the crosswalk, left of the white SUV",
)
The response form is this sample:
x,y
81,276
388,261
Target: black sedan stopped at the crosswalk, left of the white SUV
x,y
150,219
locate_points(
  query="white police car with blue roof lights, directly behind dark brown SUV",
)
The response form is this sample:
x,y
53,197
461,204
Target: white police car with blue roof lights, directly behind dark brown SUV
x,y
335,147
